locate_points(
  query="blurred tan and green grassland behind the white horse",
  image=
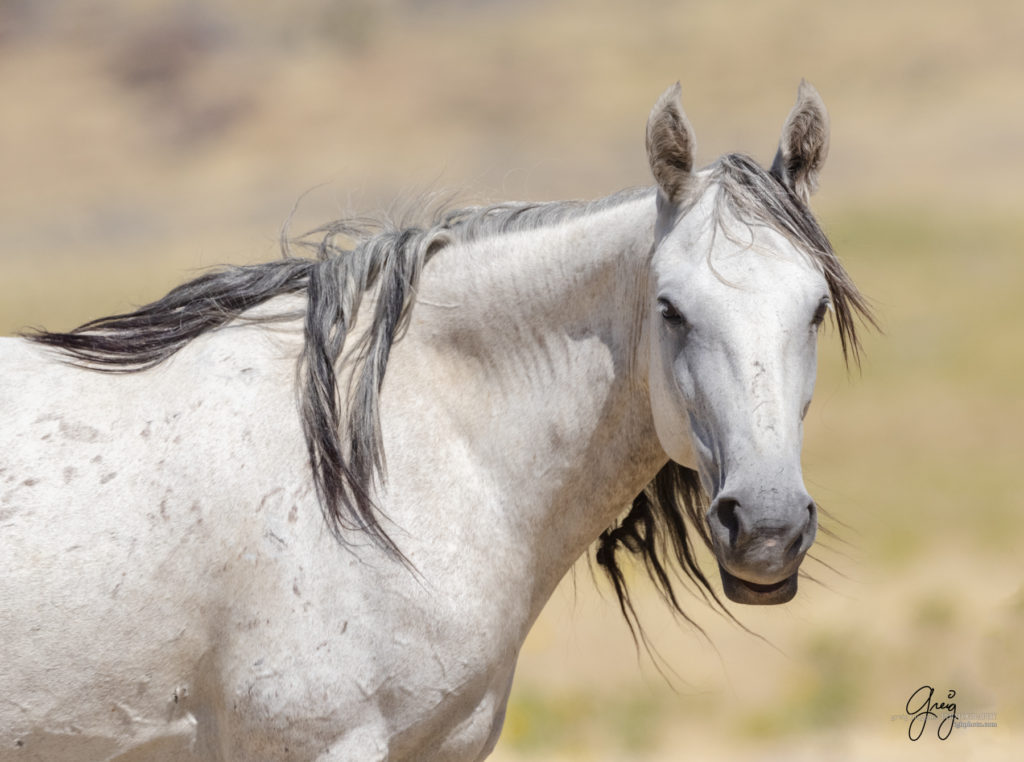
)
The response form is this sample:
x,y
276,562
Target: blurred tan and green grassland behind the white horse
x,y
142,141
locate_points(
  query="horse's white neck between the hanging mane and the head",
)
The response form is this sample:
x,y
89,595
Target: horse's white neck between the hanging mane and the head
x,y
545,332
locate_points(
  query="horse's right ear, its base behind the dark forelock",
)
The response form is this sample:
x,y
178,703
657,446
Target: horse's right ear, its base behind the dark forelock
x,y
804,147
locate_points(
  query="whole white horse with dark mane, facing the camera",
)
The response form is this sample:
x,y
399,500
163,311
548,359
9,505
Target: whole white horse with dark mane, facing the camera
x,y
227,534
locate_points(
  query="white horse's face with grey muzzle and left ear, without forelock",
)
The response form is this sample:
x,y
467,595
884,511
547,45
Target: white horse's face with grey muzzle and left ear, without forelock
x,y
735,311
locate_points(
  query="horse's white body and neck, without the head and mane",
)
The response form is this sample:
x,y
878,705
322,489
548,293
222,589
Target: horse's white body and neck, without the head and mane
x,y
150,545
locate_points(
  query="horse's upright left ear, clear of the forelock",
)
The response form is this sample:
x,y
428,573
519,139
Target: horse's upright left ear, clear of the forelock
x,y
671,146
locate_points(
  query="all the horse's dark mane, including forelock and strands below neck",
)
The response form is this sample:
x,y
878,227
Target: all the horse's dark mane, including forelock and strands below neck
x,y
336,266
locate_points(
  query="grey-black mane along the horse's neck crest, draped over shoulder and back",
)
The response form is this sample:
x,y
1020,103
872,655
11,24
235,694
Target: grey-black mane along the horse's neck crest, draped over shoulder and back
x,y
334,266
